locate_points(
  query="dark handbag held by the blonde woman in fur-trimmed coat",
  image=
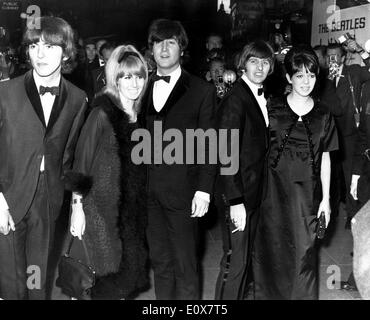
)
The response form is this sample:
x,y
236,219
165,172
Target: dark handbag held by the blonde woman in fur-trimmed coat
x,y
75,277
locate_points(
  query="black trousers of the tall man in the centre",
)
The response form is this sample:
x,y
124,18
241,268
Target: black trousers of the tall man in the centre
x,y
173,248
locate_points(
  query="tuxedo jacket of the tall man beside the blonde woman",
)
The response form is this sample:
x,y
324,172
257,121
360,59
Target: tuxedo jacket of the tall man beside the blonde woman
x,y
191,105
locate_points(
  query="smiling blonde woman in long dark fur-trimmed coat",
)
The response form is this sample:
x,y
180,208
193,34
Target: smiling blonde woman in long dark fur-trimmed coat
x,y
109,203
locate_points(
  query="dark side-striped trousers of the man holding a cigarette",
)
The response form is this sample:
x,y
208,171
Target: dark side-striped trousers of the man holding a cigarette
x,y
235,266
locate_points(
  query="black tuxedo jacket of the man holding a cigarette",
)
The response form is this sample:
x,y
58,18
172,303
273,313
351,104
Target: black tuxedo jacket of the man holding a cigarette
x,y
240,110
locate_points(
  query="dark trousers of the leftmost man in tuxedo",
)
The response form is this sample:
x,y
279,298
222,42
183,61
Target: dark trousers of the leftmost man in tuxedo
x,y
24,253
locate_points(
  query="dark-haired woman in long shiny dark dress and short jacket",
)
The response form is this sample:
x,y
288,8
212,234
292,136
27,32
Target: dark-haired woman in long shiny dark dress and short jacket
x,y
302,135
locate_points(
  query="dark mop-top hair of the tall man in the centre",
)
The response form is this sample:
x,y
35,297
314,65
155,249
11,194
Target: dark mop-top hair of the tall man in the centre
x,y
163,29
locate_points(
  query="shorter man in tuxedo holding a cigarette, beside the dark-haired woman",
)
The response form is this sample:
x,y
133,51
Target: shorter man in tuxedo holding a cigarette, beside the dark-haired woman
x,y
239,196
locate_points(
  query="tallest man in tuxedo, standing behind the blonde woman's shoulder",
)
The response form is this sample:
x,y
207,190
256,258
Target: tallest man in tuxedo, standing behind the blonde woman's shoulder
x,y
179,193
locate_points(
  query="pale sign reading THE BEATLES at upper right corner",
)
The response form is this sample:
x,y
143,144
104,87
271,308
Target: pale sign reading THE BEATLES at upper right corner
x,y
333,18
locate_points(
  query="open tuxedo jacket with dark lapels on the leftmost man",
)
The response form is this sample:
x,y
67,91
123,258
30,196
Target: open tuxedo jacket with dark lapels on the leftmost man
x,y
25,139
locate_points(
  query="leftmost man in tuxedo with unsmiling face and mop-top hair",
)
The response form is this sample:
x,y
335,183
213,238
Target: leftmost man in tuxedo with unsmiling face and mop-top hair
x,y
40,118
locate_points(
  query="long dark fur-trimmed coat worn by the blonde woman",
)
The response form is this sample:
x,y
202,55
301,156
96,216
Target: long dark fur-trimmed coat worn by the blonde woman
x,y
114,201
